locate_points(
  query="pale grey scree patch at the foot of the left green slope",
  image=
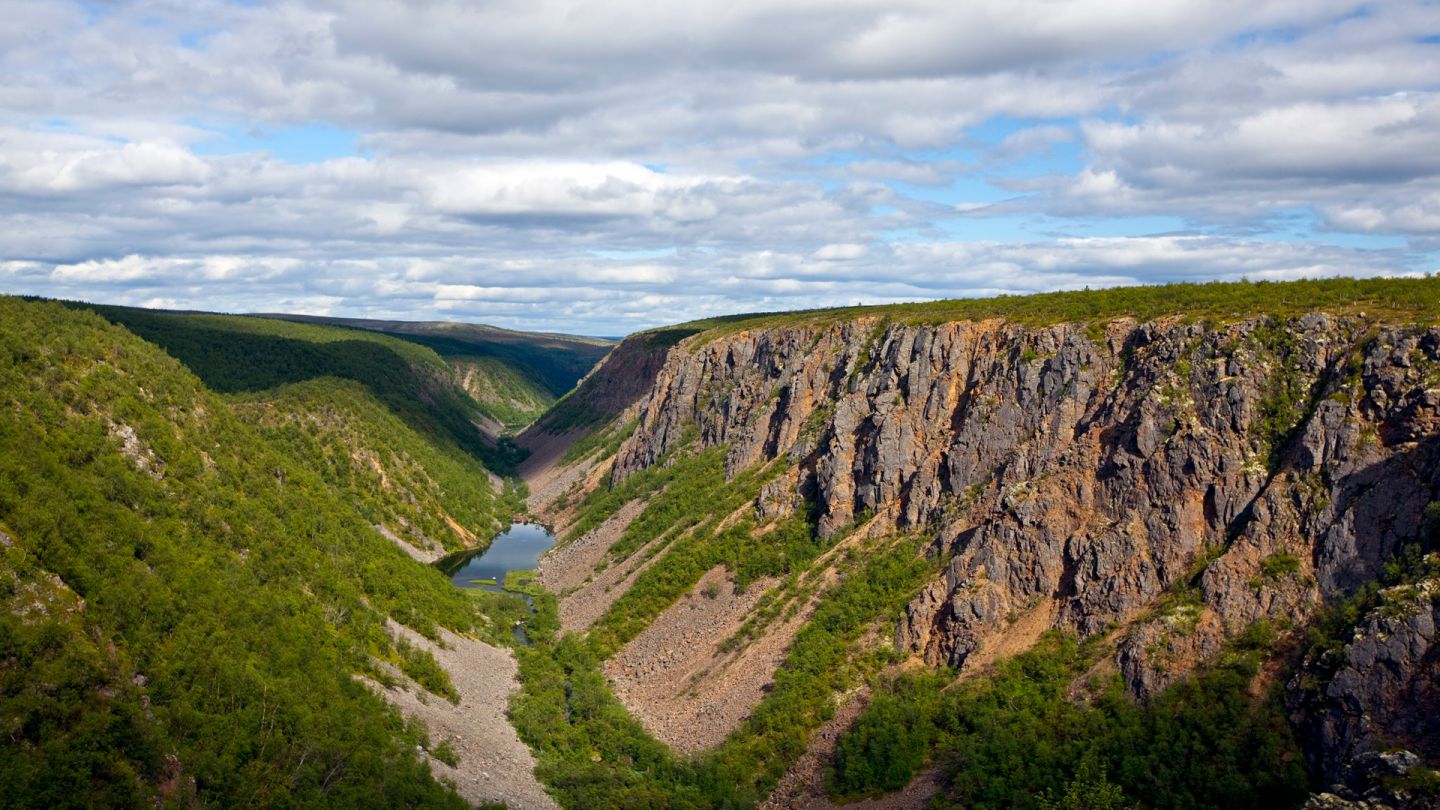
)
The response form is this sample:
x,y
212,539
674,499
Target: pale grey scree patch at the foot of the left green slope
x,y
495,765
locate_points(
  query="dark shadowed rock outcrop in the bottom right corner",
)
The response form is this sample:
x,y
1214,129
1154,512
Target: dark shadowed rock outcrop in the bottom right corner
x,y
1382,691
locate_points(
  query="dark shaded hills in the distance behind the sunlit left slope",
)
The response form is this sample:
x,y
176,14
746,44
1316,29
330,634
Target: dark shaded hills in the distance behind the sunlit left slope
x,y
466,386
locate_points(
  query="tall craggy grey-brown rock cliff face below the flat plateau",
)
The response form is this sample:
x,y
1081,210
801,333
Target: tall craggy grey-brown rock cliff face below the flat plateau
x,y
1245,471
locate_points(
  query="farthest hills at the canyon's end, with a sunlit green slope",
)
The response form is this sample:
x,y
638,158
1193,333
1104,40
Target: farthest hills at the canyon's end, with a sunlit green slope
x,y
513,375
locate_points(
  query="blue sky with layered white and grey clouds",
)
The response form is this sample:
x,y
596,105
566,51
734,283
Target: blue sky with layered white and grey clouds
x,y
606,168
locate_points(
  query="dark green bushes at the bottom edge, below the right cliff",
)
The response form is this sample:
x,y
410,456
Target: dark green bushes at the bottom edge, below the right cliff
x,y
1020,739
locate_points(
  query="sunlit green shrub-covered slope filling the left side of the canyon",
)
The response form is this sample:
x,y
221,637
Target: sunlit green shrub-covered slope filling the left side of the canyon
x,y
192,583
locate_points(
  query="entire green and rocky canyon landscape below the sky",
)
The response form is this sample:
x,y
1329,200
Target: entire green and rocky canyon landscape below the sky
x,y
1171,547
